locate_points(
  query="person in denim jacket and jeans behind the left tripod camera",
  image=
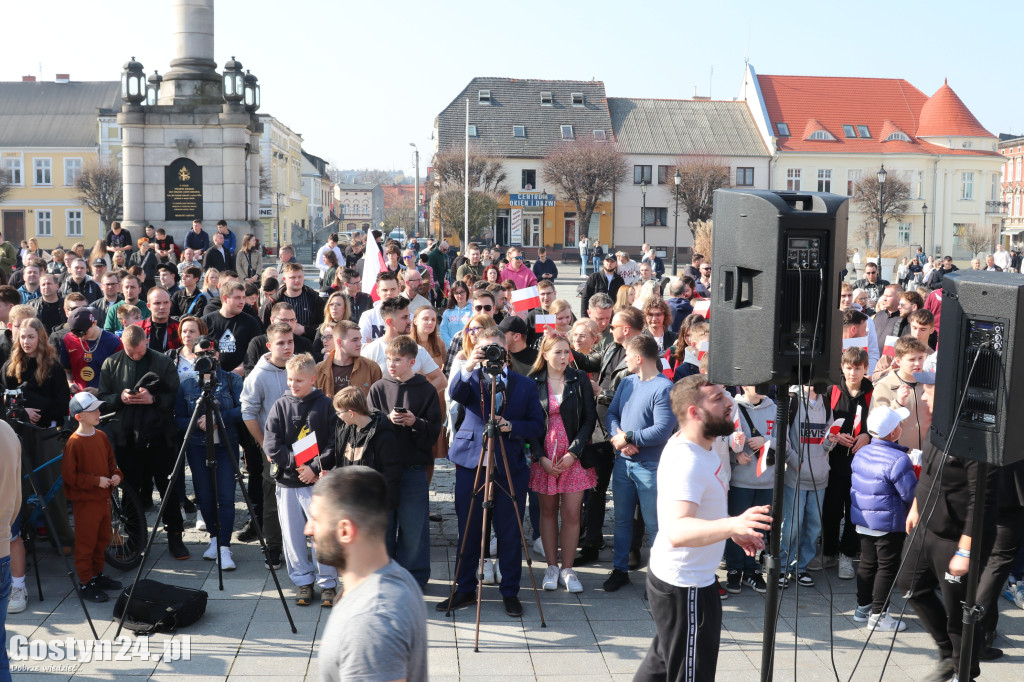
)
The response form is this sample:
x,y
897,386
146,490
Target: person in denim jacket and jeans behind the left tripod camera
x,y
227,391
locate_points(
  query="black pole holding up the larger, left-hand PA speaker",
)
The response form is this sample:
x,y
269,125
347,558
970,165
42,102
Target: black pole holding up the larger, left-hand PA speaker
x,y
772,565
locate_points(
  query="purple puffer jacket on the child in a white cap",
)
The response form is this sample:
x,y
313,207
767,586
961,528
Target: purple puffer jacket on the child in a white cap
x,y
883,489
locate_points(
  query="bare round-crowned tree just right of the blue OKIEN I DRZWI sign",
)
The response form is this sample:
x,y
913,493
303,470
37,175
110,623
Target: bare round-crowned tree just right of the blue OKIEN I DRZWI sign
x,y
585,172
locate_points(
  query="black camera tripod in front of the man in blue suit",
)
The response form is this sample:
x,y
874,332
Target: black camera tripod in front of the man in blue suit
x,y
487,465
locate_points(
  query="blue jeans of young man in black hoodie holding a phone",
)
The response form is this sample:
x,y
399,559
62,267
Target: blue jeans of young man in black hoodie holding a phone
x,y
409,531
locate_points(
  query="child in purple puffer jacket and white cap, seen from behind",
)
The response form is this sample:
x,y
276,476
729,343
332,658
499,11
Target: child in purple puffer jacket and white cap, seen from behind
x,y
883,486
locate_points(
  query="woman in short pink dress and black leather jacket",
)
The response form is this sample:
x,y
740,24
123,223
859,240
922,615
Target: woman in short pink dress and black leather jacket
x,y
558,477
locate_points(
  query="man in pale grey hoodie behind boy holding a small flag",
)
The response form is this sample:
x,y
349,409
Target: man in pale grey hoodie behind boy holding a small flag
x,y
263,388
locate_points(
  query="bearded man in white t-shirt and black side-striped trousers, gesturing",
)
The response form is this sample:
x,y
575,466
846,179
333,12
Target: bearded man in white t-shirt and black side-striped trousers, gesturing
x,y
694,525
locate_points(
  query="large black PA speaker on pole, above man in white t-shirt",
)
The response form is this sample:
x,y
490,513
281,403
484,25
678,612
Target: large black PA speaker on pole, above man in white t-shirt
x,y
777,258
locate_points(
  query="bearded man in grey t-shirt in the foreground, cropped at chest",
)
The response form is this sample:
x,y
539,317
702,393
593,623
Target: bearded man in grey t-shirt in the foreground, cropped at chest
x,y
378,628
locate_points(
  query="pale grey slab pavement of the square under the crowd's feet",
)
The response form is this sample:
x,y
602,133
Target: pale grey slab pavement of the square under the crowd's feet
x,y
592,636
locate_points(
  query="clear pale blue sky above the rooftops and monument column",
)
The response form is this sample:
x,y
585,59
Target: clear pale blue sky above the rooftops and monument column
x,y
362,80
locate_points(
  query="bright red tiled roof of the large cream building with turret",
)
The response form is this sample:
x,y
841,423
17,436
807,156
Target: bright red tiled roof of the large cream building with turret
x,y
832,103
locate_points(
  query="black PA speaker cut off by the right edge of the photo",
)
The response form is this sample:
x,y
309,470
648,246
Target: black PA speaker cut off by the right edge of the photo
x,y
980,312
